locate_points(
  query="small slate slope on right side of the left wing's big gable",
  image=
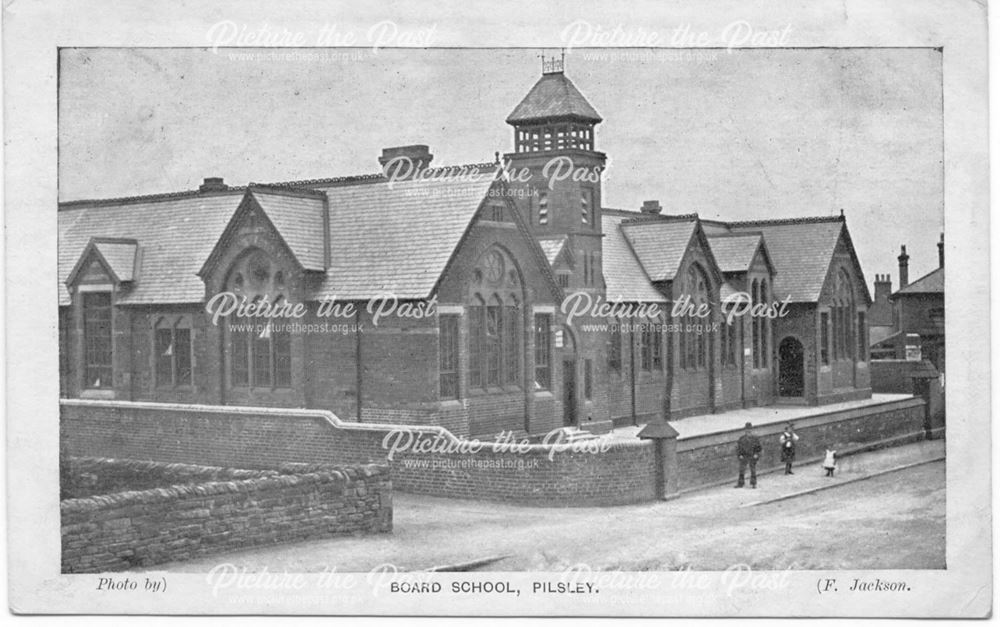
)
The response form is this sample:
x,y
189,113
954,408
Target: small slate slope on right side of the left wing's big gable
x,y
299,219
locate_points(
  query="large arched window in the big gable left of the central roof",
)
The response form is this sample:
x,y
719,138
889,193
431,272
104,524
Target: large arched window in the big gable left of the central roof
x,y
260,347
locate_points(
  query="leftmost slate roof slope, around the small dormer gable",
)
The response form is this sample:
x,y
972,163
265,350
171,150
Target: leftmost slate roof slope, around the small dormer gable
x,y
177,234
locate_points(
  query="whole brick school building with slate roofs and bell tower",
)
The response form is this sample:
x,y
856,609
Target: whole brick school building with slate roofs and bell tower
x,y
466,297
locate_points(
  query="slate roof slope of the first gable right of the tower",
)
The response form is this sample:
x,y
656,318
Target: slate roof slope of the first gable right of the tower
x,y
660,243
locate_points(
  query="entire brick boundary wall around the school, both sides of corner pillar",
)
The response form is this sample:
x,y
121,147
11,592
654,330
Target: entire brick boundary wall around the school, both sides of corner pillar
x,y
621,473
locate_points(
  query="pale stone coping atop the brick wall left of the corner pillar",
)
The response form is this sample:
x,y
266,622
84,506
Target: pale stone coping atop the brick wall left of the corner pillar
x,y
329,417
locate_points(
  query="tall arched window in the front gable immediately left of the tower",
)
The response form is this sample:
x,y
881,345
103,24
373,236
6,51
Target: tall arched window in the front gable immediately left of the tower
x,y
495,328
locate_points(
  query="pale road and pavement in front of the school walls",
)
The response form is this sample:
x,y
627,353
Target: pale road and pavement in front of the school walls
x,y
883,509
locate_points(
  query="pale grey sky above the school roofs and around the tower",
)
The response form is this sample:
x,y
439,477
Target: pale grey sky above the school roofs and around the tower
x,y
741,135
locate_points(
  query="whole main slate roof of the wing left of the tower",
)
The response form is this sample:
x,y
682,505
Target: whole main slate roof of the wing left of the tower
x,y
374,229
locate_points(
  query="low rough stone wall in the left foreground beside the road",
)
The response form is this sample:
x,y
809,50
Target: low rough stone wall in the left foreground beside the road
x,y
146,527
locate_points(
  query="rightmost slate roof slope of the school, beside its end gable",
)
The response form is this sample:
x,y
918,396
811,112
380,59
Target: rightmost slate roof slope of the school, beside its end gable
x,y
801,251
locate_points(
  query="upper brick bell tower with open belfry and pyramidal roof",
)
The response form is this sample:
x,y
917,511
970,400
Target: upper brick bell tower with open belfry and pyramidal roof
x,y
557,173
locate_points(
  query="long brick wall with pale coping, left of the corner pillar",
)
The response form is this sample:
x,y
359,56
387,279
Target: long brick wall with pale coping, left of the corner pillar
x,y
263,438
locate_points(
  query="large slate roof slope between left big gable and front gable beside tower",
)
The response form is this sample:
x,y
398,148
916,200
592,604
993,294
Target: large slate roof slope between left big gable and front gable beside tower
x,y
398,237
